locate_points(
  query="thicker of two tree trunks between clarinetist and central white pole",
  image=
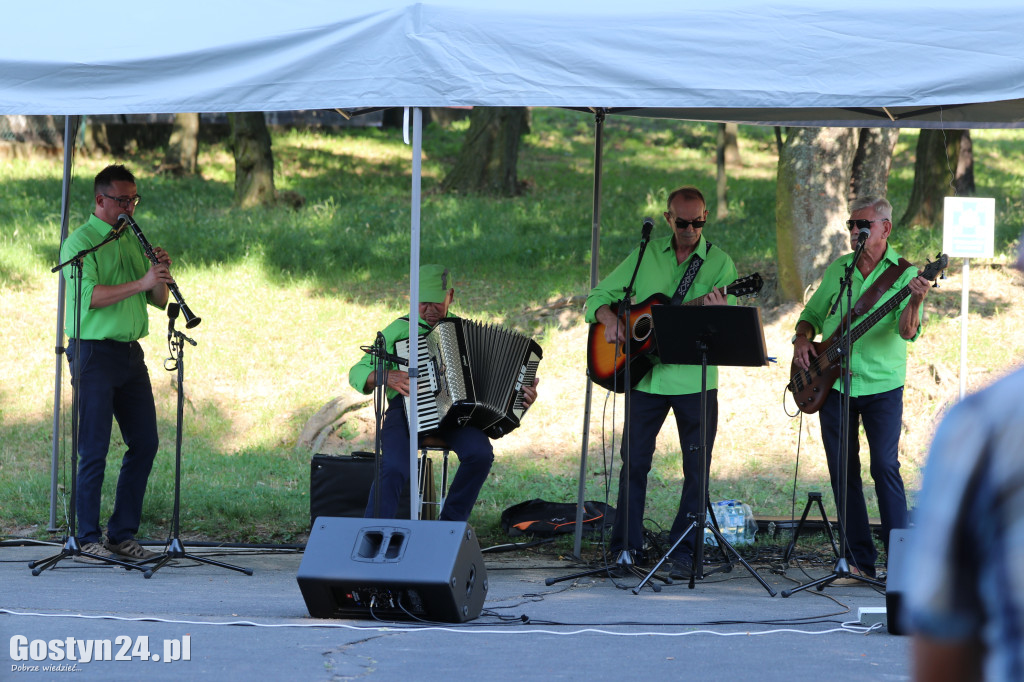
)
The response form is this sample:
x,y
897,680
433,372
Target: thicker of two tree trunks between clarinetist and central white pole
x,y
253,160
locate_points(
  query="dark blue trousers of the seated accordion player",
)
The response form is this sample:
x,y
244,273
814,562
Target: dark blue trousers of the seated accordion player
x,y
471,445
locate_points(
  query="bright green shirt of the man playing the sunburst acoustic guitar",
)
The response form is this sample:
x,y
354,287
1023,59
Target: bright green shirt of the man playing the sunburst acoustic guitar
x,y
661,274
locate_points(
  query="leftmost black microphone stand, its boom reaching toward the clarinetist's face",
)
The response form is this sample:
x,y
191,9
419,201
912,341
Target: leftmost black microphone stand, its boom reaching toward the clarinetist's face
x,y
71,547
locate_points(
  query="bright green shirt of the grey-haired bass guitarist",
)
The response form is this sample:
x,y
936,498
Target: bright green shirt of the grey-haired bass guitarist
x,y
878,358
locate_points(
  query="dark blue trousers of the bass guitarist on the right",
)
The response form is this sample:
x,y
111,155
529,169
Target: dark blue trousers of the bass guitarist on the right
x,y
882,416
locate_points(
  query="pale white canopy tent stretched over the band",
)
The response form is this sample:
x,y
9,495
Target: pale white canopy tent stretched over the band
x,y
940,64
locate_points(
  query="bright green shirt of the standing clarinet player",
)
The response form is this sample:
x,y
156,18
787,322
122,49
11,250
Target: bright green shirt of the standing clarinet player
x,y
117,263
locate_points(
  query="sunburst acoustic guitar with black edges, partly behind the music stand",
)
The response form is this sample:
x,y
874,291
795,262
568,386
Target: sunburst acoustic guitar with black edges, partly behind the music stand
x,y
607,362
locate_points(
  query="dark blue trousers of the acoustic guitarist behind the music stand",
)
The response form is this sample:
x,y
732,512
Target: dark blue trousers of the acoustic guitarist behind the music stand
x,y
648,413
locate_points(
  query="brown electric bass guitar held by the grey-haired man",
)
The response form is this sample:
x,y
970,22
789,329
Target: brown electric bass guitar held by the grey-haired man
x,y
810,388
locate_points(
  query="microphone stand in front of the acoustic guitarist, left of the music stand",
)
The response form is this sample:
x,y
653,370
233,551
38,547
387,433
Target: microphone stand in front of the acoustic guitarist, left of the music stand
x,y
625,561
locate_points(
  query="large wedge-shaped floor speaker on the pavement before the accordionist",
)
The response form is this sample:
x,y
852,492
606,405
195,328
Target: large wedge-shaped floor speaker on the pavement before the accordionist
x,y
393,570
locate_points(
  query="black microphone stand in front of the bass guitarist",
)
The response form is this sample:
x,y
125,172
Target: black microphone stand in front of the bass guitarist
x,y
842,568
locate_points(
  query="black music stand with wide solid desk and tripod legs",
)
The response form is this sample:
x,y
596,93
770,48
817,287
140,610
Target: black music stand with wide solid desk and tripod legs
x,y
719,335
